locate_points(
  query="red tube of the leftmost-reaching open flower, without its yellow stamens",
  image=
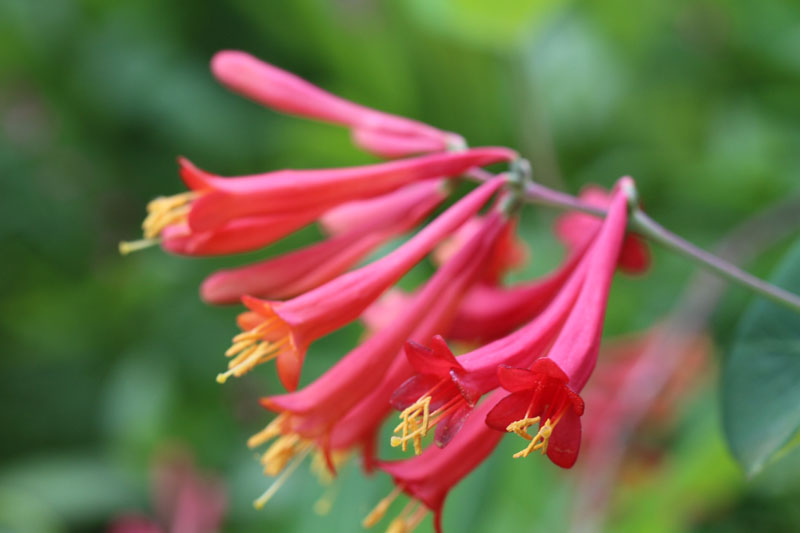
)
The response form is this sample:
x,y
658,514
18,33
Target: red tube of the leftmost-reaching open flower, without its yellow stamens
x,y
220,200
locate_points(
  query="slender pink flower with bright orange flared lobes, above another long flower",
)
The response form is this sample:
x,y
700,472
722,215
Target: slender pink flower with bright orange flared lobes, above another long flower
x,y
284,330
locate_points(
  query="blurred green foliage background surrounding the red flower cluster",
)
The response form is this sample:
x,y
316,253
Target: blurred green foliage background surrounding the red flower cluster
x,y
108,361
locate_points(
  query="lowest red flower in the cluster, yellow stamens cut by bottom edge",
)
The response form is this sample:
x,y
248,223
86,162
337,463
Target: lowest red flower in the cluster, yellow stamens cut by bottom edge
x,y
427,479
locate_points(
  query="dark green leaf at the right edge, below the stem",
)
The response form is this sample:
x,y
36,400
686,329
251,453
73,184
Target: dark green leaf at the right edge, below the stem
x,y
761,378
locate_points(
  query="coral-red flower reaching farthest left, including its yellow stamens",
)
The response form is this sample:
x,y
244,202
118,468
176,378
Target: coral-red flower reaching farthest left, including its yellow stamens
x,y
234,209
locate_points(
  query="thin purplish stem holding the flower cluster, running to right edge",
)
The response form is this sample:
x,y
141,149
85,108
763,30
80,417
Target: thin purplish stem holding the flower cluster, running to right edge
x,y
642,224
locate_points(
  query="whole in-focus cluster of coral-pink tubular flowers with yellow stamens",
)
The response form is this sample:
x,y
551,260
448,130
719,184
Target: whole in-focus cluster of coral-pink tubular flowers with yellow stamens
x,y
531,346
